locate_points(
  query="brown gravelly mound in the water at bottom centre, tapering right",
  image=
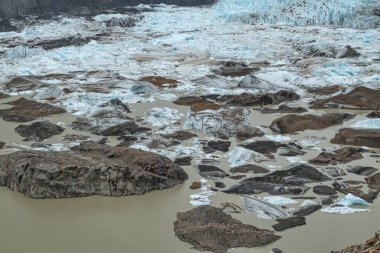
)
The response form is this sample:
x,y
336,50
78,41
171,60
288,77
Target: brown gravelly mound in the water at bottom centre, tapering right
x,y
208,228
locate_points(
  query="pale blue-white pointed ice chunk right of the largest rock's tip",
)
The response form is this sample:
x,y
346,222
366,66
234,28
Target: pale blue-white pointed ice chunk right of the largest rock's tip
x,y
240,156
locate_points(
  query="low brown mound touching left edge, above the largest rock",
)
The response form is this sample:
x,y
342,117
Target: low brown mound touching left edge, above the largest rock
x,y
25,110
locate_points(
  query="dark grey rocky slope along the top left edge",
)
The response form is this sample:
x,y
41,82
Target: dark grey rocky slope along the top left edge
x,y
13,8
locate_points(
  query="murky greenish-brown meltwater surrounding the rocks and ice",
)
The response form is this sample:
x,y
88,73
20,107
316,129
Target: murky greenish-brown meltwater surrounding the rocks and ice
x,y
144,223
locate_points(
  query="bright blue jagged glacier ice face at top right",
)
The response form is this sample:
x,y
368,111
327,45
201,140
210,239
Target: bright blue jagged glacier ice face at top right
x,y
341,13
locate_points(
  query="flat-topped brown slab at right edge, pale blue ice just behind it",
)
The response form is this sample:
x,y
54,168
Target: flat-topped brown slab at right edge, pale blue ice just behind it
x,y
358,137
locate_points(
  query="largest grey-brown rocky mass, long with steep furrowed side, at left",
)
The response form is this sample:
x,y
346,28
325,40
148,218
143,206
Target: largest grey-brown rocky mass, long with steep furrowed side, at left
x,y
89,169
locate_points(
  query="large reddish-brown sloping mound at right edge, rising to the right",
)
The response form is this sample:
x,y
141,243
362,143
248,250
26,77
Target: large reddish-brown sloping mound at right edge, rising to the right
x,y
359,98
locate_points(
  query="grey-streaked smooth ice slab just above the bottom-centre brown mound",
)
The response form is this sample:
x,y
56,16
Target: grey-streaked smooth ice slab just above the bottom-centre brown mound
x,y
262,209
